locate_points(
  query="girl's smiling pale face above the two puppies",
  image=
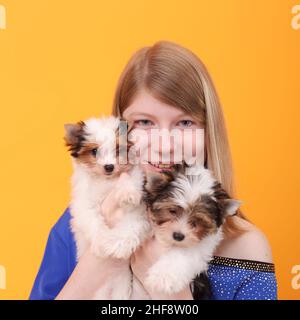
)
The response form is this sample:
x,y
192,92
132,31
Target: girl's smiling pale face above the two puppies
x,y
147,113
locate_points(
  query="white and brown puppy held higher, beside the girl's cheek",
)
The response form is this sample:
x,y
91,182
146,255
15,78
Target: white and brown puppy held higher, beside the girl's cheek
x,y
94,145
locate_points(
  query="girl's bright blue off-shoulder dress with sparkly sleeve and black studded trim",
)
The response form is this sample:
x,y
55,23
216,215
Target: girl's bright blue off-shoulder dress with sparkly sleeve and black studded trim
x,y
230,279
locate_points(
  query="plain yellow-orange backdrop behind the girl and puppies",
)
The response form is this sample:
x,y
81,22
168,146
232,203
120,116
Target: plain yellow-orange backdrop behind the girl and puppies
x,y
59,63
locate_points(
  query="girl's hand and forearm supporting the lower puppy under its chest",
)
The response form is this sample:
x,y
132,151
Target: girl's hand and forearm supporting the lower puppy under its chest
x,y
143,258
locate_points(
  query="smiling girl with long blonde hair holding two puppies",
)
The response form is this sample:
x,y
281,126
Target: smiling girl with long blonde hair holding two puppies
x,y
166,86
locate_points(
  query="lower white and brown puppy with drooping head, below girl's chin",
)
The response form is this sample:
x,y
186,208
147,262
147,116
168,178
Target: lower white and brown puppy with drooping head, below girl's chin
x,y
187,214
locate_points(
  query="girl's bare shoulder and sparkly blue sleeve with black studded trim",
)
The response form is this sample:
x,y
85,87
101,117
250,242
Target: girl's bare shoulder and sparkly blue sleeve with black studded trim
x,y
242,267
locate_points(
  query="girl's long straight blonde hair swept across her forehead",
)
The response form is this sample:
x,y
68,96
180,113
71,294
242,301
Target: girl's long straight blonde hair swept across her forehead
x,y
176,76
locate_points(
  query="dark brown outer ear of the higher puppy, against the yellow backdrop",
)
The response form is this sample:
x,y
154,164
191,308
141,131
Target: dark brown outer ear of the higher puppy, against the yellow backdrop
x,y
74,136
